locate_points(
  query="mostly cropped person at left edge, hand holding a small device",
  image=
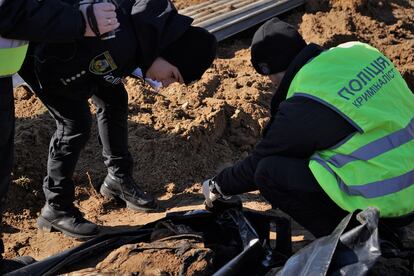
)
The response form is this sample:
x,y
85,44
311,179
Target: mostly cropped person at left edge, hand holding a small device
x,y
22,21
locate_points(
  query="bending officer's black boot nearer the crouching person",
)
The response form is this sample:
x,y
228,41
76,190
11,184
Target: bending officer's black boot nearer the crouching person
x,y
127,190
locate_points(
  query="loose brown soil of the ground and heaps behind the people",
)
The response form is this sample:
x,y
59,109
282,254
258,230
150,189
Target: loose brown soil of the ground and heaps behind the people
x,y
182,135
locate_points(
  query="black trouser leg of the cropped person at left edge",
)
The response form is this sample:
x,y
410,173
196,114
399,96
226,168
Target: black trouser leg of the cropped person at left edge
x,y
6,142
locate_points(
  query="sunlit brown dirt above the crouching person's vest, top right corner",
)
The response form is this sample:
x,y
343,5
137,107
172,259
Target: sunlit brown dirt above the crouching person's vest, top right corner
x,y
386,25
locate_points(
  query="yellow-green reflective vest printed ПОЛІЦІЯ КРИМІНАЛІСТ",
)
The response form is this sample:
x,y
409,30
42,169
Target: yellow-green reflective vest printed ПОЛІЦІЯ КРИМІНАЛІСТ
x,y
374,166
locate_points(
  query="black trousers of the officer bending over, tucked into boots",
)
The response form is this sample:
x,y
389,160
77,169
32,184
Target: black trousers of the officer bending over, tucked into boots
x,y
70,109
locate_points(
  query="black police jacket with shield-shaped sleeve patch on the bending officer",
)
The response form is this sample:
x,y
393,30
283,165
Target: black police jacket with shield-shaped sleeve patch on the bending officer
x,y
146,28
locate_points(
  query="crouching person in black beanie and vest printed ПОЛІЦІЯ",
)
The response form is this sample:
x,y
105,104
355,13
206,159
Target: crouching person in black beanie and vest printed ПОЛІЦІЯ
x,y
340,136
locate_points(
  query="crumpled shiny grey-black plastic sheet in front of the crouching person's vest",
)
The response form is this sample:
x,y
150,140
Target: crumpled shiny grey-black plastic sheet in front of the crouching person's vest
x,y
347,251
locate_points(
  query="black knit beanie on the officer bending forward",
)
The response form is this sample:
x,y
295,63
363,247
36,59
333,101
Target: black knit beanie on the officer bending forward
x,y
192,53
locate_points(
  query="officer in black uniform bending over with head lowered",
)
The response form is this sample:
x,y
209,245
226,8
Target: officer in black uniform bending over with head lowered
x,y
152,36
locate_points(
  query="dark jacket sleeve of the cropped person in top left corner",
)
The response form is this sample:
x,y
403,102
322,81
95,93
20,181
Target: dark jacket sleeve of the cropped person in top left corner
x,y
36,20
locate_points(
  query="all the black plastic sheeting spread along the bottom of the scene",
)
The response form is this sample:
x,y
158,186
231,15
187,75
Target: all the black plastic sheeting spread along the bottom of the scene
x,y
240,240
